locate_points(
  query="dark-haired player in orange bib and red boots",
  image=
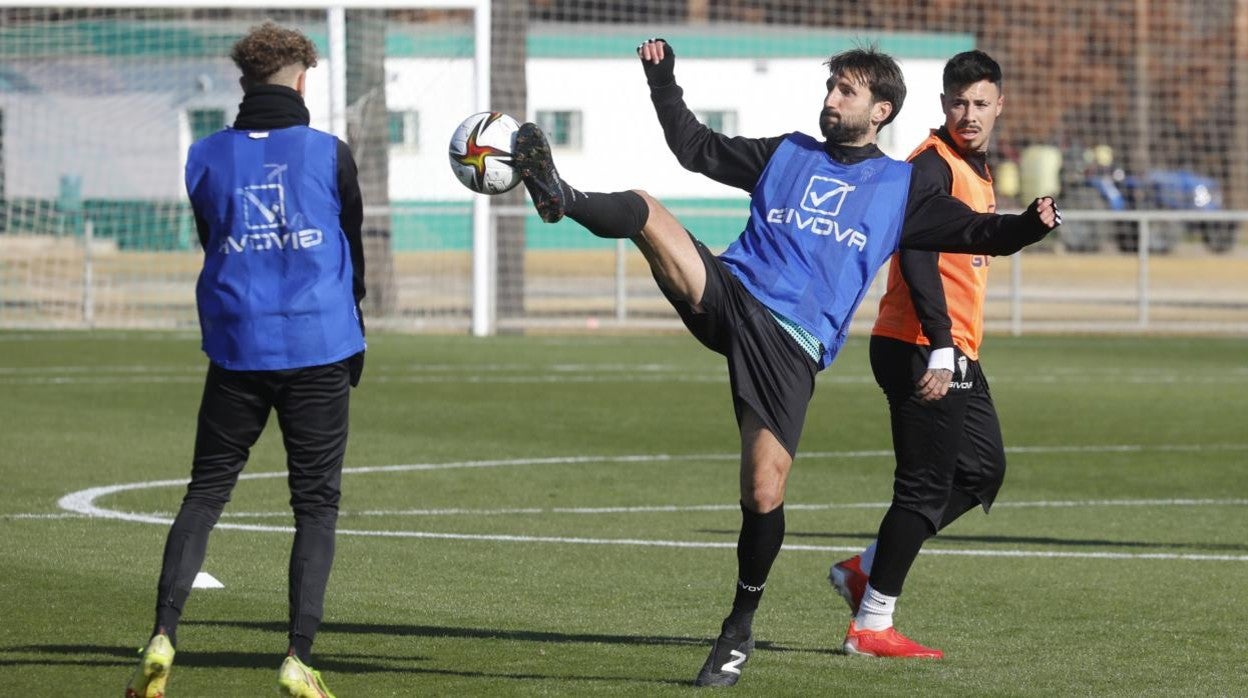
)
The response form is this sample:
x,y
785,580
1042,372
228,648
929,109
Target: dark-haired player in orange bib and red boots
x,y
925,351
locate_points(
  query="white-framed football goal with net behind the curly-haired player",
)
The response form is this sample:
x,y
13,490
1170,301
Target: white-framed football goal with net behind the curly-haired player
x,y
99,106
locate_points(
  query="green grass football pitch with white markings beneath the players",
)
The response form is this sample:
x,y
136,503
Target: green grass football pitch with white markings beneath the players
x,y
555,516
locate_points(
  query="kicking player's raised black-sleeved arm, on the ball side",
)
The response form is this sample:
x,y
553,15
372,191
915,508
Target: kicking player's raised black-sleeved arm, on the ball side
x,y
734,162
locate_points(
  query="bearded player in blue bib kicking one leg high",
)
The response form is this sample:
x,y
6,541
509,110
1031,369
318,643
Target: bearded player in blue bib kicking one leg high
x,y
824,217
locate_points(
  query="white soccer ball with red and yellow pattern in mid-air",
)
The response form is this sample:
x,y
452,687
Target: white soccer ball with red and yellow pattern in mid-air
x,y
481,153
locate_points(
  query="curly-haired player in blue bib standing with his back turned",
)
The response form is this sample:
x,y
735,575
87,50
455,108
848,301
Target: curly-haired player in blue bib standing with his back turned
x,y
279,214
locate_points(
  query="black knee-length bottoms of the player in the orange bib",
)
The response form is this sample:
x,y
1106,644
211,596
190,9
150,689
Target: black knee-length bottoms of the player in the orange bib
x,y
952,444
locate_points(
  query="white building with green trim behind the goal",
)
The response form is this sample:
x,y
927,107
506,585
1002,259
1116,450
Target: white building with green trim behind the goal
x,y
117,127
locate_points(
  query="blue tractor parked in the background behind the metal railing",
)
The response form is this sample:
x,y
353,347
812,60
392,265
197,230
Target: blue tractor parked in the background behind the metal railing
x,y
1101,187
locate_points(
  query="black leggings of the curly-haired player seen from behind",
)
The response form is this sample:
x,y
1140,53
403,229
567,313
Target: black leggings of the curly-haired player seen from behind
x,y
313,408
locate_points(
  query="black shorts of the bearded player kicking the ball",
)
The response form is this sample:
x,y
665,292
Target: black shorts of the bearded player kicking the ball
x,y
771,374
